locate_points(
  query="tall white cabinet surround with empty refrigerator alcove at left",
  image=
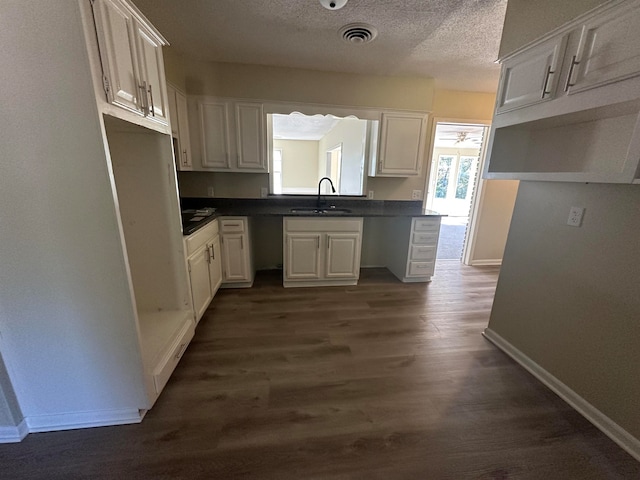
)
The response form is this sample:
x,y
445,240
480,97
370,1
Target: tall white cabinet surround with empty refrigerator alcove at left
x,y
96,310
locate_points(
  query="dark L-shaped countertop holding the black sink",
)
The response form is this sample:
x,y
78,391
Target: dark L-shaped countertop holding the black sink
x,y
281,206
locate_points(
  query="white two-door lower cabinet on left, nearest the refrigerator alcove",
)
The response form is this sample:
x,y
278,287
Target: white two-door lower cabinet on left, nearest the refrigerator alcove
x,y
204,262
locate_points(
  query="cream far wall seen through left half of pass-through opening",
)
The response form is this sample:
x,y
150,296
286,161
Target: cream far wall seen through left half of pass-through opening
x,y
299,163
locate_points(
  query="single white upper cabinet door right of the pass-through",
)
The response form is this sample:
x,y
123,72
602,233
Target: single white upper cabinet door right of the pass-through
x,y
402,140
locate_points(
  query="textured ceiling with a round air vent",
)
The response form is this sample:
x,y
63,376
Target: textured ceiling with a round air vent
x,y
454,41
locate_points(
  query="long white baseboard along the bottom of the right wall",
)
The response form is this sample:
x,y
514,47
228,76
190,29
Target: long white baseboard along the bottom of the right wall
x,y
610,428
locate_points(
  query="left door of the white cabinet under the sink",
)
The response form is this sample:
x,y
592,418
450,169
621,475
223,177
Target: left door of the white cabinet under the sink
x,y
303,256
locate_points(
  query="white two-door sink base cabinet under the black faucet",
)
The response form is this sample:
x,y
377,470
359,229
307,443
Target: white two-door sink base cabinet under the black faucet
x,y
321,251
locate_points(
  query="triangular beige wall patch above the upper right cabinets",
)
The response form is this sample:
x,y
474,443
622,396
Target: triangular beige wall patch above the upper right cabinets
x,y
526,20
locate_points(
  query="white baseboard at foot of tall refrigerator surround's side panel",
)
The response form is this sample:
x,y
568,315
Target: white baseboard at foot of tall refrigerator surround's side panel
x,y
71,421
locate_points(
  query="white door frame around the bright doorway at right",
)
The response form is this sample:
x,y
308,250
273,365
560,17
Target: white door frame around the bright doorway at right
x,y
468,247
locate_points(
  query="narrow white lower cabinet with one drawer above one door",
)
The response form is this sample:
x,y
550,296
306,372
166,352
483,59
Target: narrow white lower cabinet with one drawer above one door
x,y
237,260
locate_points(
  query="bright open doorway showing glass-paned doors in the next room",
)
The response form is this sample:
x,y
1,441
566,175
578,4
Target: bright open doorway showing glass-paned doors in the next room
x,y
456,161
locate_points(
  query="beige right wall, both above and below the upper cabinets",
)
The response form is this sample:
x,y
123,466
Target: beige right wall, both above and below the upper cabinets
x,y
568,297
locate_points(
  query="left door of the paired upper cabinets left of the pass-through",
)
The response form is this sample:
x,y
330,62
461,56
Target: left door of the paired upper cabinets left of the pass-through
x,y
214,130
